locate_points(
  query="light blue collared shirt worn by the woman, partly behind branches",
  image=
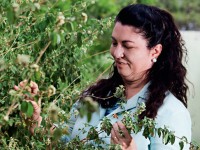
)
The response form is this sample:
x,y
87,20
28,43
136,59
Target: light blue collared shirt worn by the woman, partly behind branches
x,y
171,114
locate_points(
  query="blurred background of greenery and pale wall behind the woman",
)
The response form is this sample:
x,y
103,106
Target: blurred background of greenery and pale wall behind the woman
x,y
186,15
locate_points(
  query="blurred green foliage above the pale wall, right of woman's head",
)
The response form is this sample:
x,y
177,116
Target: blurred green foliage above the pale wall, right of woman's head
x,y
185,12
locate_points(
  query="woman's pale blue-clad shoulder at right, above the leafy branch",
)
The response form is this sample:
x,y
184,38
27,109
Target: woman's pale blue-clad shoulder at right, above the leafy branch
x,y
175,116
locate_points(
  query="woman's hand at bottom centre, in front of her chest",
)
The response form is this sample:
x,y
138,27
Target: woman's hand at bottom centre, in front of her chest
x,y
120,135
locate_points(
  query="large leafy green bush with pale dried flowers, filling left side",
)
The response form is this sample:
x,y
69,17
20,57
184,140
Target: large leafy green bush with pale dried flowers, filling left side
x,y
42,41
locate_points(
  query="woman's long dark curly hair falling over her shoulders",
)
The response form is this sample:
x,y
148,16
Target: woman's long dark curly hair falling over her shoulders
x,y
168,73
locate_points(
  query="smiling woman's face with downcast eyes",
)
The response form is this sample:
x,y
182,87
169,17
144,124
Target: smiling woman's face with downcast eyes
x,y
130,52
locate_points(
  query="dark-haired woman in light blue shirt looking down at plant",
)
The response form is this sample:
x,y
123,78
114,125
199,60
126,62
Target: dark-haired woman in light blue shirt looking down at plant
x,y
147,49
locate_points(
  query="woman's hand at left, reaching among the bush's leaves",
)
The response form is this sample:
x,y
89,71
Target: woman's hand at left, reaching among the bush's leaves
x,y
33,89
